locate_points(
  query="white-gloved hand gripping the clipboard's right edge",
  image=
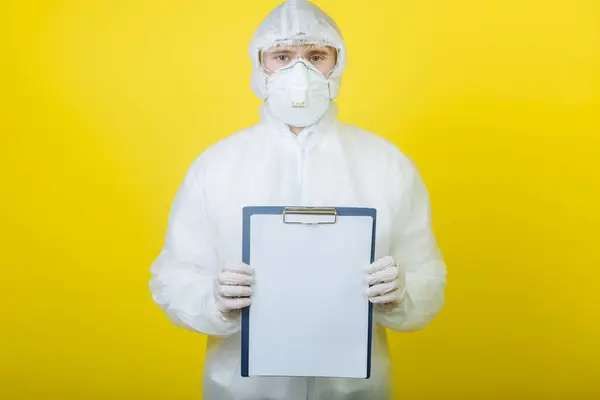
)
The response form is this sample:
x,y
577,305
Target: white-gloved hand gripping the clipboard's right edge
x,y
386,284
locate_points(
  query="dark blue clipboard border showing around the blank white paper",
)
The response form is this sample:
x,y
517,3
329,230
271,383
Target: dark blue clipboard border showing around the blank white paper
x,y
248,212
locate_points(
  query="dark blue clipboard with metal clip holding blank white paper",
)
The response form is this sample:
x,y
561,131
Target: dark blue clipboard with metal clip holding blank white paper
x,y
310,316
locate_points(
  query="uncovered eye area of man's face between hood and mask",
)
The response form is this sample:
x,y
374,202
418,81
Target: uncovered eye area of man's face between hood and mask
x,y
323,58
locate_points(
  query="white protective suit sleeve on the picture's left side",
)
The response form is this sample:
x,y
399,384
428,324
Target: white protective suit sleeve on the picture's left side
x,y
183,275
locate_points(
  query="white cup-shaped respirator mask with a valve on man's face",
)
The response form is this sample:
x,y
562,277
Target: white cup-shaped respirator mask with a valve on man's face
x,y
298,94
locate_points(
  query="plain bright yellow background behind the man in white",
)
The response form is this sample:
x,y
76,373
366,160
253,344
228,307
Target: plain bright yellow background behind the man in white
x,y
104,104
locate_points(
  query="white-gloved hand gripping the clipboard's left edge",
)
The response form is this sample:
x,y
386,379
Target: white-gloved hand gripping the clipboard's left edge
x,y
232,288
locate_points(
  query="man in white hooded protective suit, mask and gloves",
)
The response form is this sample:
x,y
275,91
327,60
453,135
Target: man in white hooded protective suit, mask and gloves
x,y
299,154
